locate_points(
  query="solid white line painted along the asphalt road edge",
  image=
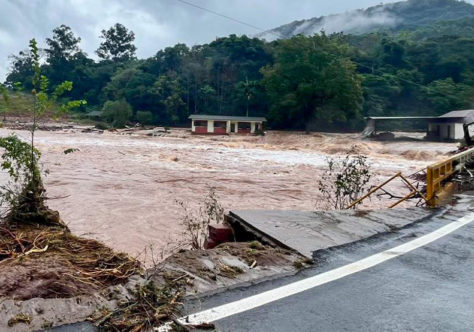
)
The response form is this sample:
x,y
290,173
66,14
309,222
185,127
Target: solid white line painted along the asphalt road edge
x,y
276,294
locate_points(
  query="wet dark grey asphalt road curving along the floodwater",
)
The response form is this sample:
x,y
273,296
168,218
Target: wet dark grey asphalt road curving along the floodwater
x,y
428,289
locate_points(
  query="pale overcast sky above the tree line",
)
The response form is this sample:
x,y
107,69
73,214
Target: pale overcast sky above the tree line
x,y
156,23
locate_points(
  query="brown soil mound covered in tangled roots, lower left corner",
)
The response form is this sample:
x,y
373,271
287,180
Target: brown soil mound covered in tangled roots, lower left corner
x,y
50,262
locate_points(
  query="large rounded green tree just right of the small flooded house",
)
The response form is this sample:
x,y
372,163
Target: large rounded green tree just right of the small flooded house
x,y
312,78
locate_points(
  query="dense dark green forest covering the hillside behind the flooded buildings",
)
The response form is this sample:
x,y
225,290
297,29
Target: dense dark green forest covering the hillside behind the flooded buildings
x,y
320,82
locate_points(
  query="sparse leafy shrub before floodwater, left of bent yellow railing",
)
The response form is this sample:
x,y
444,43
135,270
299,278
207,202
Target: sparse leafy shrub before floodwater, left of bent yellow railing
x,y
344,181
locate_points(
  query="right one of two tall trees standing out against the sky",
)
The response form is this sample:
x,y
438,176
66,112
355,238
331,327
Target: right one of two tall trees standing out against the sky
x,y
118,44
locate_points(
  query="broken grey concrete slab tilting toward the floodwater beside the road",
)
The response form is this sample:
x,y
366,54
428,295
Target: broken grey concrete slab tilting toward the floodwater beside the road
x,y
309,231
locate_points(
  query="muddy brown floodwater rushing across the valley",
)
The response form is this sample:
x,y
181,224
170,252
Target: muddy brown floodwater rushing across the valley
x,y
121,188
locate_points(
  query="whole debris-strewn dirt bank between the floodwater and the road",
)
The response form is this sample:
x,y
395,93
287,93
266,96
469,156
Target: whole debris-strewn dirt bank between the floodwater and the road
x,y
49,277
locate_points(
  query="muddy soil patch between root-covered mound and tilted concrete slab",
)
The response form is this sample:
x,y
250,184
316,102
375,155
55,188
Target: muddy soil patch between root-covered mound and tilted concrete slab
x,y
227,265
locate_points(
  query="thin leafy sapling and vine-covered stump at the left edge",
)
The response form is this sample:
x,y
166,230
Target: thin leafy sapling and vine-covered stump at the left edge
x,y
25,194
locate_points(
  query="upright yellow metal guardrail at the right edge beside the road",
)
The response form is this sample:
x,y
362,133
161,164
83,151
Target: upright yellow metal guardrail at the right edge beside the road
x,y
442,170
